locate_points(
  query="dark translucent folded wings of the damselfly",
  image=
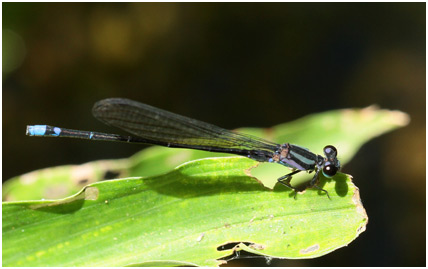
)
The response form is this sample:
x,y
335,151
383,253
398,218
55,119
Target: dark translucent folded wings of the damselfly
x,y
159,125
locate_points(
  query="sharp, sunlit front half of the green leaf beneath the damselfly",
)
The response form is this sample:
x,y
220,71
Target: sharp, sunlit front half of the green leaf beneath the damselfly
x,y
184,215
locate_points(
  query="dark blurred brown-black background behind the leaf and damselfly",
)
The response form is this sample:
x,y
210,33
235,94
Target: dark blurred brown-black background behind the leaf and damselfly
x,y
233,65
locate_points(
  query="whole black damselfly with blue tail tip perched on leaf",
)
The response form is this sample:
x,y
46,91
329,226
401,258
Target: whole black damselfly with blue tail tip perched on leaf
x,y
155,126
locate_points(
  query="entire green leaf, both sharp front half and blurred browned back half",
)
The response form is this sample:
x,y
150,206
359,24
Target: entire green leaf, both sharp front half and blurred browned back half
x,y
183,215
